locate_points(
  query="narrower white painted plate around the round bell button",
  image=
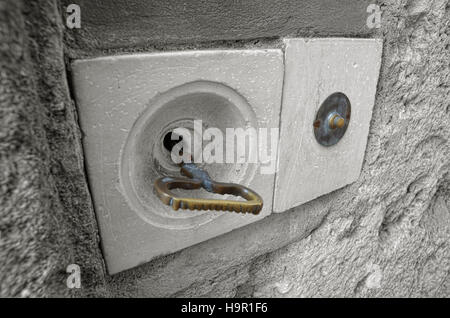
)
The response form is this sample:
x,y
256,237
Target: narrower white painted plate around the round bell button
x,y
314,69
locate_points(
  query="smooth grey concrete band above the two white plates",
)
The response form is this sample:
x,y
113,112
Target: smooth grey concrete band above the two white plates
x,y
131,23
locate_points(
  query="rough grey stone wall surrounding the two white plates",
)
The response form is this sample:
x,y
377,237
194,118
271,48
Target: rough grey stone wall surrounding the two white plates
x,y
388,234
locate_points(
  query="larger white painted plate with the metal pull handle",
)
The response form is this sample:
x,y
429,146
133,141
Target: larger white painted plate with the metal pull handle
x,y
112,93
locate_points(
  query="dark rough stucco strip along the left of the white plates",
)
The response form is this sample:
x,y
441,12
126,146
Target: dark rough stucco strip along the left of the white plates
x,y
46,219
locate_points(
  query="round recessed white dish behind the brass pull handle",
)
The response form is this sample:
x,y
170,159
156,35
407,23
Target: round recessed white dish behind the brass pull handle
x,y
146,156
